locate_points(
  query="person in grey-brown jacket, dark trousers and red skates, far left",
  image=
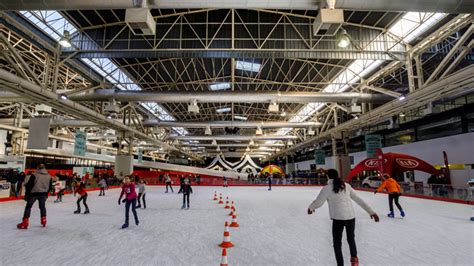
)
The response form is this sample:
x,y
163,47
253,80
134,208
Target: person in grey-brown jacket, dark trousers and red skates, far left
x,y
37,186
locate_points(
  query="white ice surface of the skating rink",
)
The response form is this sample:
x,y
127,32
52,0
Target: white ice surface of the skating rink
x,y
274,230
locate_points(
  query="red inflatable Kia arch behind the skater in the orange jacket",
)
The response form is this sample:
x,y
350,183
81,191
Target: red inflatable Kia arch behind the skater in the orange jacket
x,y
391,163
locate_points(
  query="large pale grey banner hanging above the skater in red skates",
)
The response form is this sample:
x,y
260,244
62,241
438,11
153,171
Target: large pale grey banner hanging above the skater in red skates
x,y
38,133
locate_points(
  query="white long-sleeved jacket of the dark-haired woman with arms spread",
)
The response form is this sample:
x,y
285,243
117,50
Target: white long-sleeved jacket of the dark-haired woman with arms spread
x,y
340,204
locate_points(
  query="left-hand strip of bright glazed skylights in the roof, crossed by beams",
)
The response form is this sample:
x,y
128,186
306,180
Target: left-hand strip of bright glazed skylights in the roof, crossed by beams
x,y
54,24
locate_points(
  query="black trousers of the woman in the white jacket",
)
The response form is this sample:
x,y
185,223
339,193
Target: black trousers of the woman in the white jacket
x,y
337,228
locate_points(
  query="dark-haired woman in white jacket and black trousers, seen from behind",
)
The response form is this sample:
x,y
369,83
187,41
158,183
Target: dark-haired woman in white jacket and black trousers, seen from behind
x,y
339,195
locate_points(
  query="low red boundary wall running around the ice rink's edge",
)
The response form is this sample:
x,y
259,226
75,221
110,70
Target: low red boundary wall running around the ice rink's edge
x,y
265,185
